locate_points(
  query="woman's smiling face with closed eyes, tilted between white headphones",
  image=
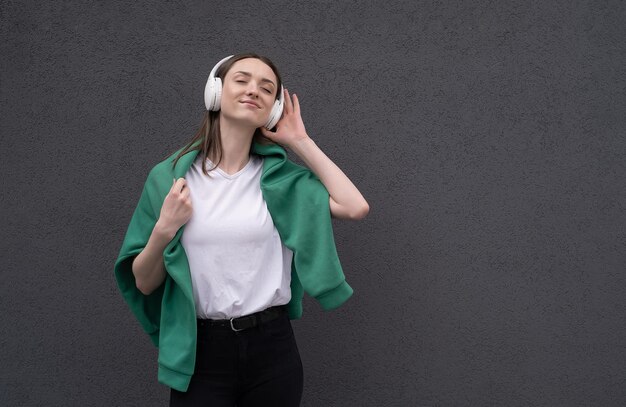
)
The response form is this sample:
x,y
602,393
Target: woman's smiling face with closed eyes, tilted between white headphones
x,y
248,92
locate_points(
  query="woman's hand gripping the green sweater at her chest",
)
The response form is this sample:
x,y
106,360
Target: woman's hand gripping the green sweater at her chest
x,y
176,209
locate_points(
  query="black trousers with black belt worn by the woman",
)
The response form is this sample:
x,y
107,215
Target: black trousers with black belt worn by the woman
x,y
258,366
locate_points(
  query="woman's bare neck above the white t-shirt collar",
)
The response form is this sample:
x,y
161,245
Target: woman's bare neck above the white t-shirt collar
x,y
236,141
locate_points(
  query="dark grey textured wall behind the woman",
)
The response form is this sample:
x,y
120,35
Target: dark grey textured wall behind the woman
x,y
488,138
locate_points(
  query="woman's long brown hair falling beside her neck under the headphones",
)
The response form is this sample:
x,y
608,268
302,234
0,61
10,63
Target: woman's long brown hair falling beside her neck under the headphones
x,y
208,137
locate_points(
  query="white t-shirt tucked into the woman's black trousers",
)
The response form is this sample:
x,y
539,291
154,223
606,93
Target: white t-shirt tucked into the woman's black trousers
x,y
237,261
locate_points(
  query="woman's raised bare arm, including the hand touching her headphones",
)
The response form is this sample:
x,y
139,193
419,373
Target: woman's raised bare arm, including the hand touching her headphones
x,y
346,202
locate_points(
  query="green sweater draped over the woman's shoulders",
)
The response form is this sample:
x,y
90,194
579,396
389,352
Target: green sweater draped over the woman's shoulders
x,y
298,204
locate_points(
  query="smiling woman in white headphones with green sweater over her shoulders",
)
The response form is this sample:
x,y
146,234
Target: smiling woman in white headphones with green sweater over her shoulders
x,y
227,235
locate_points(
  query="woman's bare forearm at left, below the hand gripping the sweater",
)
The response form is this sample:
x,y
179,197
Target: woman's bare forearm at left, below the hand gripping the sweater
x,y
148,266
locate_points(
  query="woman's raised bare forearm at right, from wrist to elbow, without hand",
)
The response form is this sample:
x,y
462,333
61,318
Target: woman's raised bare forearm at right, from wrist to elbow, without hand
x,y
345,199
